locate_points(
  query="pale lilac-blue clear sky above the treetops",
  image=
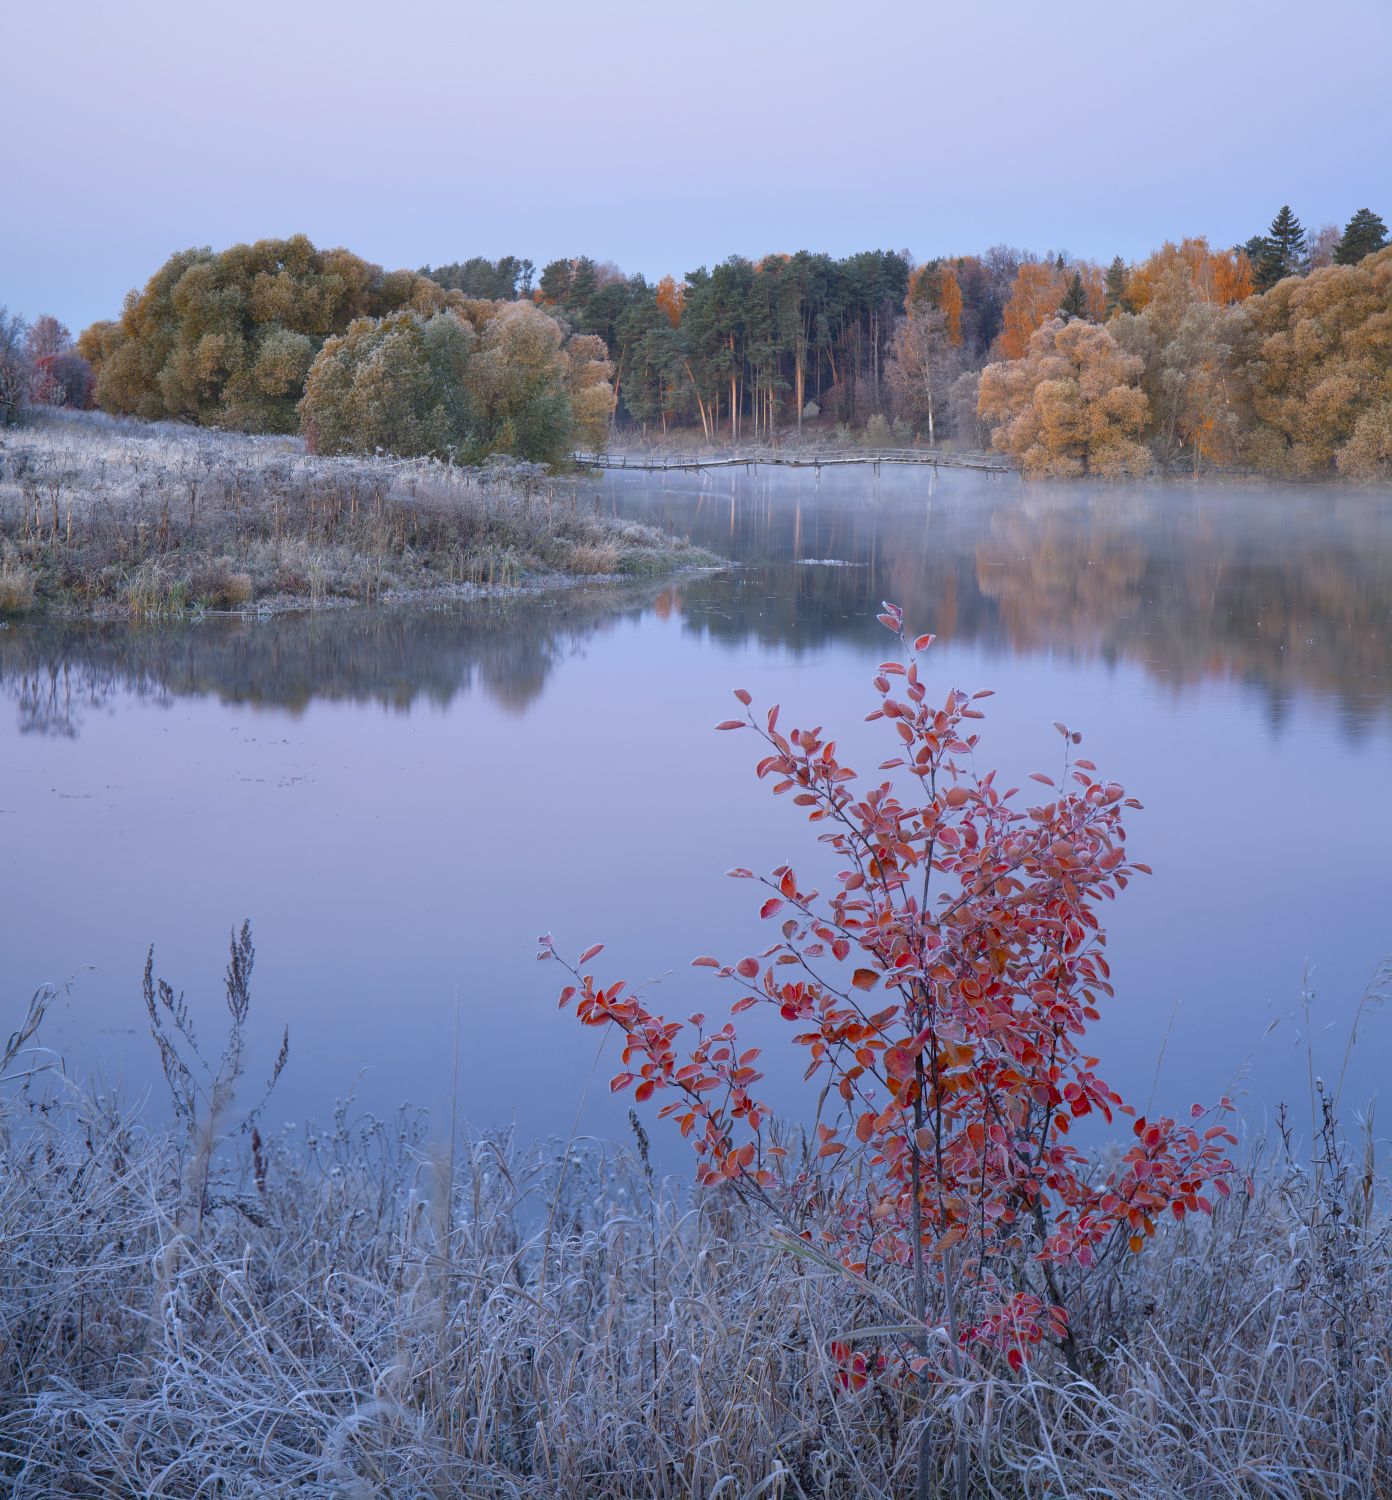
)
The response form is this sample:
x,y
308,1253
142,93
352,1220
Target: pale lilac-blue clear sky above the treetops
x,y
664,137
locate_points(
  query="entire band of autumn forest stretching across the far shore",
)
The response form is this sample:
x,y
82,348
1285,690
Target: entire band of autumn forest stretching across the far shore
x,y
1274,356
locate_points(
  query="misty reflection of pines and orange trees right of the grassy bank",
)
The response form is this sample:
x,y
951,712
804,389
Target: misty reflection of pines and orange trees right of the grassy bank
x,y
1286,589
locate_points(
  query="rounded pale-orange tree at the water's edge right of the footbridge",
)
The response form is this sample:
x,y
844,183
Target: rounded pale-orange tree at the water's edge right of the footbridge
x,y
1072,406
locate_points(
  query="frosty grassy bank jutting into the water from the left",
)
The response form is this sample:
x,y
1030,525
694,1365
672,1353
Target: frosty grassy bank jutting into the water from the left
x,y
109,517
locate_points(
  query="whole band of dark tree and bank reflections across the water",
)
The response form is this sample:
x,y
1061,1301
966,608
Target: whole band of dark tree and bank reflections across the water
x,y
1289,590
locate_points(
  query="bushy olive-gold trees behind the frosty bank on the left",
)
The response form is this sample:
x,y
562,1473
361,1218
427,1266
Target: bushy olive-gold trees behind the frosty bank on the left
x,y
281,337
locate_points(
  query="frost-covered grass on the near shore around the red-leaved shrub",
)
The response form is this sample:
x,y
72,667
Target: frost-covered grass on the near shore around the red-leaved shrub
x,y
191,1310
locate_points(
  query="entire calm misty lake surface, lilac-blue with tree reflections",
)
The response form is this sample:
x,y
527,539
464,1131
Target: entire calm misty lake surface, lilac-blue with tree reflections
x,y
403,800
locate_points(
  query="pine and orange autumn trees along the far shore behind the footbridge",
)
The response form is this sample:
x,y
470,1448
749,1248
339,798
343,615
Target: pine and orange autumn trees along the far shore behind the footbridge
x,y
1178,359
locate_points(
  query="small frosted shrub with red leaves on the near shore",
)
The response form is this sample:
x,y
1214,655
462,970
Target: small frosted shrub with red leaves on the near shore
x,y
941,991
